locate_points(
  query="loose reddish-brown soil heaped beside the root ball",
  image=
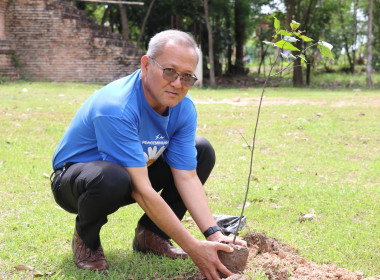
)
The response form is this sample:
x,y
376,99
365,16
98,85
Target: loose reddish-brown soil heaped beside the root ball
x,y
280,262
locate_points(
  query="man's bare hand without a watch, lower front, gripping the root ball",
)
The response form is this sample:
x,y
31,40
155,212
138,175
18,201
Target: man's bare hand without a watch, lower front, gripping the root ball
x,y
205,256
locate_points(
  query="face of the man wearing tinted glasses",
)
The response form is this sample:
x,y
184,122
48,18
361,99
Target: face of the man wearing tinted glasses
x,y
159,92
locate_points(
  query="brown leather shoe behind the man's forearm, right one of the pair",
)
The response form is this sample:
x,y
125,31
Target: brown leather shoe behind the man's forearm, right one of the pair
x,y
146,241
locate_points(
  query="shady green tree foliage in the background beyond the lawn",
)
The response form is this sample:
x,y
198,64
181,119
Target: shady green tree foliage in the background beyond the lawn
x,y
240,26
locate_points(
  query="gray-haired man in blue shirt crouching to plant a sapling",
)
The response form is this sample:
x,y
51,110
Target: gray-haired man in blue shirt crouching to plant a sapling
x,y
131,139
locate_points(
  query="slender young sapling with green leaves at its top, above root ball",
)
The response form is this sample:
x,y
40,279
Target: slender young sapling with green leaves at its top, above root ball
x,y
285,40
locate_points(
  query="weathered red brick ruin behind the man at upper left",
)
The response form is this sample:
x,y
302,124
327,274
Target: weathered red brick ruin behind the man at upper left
x,y
52,40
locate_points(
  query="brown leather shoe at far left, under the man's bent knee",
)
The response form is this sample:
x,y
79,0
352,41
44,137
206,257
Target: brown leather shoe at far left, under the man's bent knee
x,y
85,258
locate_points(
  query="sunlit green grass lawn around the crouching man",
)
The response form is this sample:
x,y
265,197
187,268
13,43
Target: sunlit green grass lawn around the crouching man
x,y
316,150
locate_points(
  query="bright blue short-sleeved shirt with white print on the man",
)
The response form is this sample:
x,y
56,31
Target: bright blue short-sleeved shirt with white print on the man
x,y
117,124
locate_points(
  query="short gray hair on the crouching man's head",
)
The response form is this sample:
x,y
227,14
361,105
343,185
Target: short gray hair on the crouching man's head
x,y
158,41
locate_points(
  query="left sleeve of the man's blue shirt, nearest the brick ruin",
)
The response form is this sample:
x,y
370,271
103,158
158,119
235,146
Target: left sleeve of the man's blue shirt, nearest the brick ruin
x,y
118,141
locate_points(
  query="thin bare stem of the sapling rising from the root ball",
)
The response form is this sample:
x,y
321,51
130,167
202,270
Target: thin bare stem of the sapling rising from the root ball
x,y
253,146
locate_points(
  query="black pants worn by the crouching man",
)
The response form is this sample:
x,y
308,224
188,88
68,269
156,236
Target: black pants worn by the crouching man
x,y
94,190
